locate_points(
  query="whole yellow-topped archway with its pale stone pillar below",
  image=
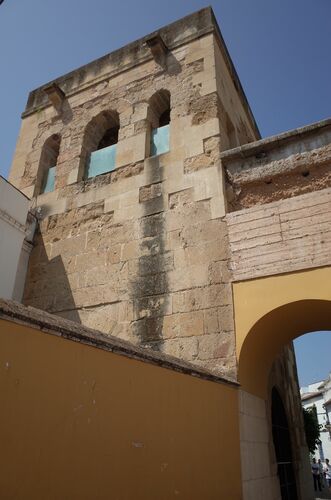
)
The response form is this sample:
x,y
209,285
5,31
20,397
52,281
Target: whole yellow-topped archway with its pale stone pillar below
x,y
269,314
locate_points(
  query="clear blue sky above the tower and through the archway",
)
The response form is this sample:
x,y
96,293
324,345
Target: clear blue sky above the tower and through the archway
x,y
281,50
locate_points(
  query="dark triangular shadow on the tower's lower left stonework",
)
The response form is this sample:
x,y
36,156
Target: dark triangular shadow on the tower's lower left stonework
x,y
48,286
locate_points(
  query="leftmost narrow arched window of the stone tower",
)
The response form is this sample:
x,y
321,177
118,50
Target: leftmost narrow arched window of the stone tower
x,y
47,166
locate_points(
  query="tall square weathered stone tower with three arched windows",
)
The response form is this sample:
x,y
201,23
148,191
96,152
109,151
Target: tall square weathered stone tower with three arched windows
x,y
121,157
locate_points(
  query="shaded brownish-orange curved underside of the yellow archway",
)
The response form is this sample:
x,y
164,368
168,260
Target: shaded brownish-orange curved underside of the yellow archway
x,y
271,332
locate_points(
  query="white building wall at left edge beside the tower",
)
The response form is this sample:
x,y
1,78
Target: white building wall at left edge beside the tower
x,y
13,214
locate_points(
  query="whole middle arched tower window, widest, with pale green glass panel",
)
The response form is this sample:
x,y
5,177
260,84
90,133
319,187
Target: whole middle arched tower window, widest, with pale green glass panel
x,y
99,146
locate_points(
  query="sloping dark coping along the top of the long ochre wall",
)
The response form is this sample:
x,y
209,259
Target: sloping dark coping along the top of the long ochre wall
x,y
54,325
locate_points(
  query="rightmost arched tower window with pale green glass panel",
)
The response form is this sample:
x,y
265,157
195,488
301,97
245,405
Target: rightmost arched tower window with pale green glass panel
x,y
159,118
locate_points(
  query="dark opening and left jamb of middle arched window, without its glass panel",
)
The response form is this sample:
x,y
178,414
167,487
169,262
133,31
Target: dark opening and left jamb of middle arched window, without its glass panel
x,y
101,132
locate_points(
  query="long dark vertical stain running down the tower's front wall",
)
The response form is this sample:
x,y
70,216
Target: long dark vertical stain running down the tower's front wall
x,y
150,288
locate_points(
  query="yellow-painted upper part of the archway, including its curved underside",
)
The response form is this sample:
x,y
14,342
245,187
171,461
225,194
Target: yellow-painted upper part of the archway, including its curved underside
x,y
271,312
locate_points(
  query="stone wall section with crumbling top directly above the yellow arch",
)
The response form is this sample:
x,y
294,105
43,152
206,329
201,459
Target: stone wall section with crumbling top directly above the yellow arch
x,y
280,197
